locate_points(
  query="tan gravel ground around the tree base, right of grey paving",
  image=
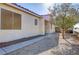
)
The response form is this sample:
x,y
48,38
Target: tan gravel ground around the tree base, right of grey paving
x,y
65,47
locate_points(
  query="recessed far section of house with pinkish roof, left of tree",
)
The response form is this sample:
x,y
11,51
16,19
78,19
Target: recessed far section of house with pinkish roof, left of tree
x,y
49,27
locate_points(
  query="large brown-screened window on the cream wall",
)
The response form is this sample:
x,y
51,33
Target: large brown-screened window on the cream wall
x,y
10,20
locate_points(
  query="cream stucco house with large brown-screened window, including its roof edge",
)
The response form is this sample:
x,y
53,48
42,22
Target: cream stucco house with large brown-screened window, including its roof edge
x,y
17,22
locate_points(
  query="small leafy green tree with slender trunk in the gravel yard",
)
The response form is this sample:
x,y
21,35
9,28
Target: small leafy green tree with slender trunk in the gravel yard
x,y
63,16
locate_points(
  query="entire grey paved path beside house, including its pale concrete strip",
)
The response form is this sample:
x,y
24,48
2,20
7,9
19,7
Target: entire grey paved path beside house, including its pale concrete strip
x,y
31,47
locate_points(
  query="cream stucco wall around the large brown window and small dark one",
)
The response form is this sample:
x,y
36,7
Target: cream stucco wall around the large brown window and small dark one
x,y
28,28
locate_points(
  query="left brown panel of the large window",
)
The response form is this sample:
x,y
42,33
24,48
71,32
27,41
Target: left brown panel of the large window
x,y
6,19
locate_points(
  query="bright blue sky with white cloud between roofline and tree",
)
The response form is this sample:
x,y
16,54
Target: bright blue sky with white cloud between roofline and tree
x,y
39,8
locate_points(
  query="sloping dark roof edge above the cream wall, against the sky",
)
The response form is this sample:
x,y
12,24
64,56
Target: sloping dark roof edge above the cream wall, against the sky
x,y
23,9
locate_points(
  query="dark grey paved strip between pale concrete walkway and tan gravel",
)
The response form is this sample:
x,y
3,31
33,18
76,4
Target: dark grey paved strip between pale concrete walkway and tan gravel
x,y
44,44
